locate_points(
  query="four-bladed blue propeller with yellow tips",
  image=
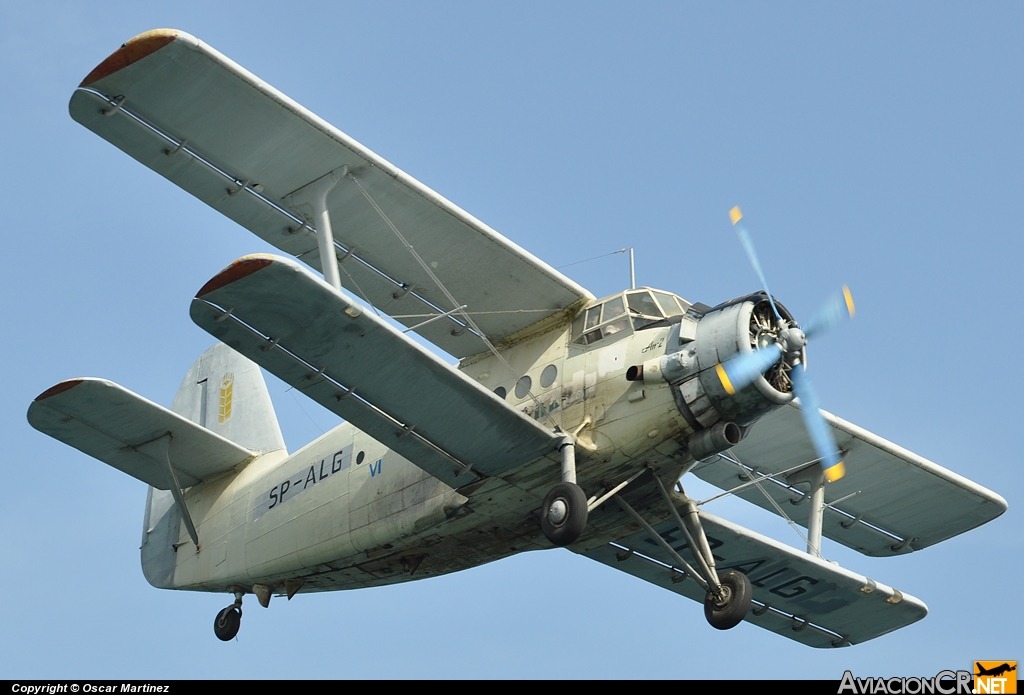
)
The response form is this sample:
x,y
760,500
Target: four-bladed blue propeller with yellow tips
x,y
789,346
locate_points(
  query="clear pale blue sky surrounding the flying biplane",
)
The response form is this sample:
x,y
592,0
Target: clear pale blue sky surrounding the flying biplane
x,y
876,145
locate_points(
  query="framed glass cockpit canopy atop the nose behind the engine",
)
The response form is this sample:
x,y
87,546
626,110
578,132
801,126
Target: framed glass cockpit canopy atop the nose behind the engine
x,y
631,310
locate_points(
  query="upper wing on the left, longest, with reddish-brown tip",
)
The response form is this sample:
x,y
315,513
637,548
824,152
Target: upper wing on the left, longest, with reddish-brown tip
x,y
217,131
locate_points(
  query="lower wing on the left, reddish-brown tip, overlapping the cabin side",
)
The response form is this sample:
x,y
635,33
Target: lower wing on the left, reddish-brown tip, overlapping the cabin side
x,y
294,325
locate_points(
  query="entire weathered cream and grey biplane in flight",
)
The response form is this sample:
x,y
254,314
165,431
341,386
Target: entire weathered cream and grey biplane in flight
x,y
569,421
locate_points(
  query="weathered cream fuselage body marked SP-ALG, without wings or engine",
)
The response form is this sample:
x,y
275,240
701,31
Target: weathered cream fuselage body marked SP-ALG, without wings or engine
x,y
345,512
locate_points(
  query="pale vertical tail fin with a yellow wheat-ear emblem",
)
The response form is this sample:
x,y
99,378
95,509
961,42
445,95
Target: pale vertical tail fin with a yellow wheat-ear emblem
x,y
226,394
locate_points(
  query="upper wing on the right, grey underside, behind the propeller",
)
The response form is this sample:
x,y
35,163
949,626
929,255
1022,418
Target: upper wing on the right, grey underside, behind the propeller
x,y
890,502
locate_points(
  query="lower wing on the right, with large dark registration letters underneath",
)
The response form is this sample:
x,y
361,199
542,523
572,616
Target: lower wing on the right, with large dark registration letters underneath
x,y
795,595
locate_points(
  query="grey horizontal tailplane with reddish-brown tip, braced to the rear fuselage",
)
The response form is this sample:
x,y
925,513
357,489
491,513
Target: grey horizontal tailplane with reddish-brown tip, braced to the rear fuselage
x,y
133,435
